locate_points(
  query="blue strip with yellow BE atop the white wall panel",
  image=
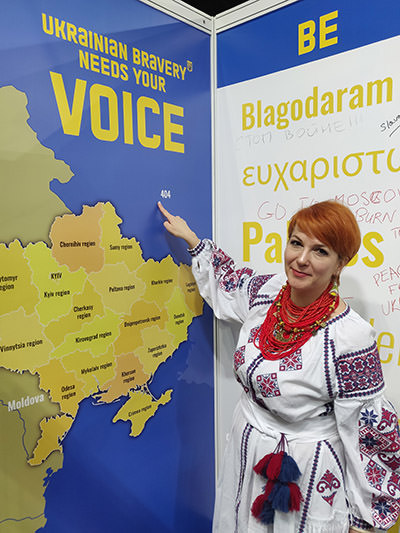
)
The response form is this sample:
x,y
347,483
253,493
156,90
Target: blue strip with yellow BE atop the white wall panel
x,y
272,40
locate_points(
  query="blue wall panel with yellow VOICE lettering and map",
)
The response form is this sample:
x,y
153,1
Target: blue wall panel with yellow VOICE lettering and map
x,y
106,363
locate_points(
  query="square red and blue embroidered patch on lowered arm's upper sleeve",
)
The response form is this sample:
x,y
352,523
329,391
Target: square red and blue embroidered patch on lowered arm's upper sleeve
x,y
359,373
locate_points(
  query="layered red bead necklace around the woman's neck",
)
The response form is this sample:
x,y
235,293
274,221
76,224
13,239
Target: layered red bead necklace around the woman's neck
x,y
287,327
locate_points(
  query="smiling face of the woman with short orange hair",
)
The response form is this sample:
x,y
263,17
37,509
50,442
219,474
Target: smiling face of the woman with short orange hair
x,y
309,266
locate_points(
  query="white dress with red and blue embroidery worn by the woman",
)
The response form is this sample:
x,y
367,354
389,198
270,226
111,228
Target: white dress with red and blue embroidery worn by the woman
x,y
327,398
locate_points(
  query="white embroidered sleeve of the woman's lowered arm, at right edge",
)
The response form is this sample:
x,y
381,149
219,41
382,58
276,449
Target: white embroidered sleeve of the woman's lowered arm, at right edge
x,y
368,427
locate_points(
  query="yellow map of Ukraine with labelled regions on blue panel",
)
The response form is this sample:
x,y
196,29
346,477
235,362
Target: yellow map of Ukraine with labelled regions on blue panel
x,y
90,317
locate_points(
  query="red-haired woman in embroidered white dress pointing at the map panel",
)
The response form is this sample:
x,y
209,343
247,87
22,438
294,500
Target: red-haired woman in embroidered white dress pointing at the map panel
x,y
314,446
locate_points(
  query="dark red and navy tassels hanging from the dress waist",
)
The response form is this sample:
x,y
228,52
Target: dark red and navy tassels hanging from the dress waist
x,y
280,493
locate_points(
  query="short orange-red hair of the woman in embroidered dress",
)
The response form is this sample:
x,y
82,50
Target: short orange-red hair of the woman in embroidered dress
x,y
333,224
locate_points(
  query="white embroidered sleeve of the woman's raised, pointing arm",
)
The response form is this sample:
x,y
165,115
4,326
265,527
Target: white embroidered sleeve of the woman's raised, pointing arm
x,y
229,290
